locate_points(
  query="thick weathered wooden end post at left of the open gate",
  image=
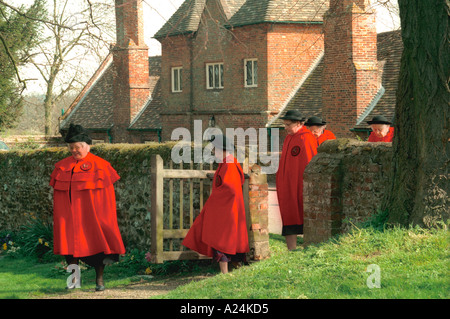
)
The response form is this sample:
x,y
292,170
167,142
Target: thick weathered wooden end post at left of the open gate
x,y
157,172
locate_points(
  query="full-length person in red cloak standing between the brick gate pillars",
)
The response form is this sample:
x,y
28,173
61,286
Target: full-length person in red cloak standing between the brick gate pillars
x,y
299,147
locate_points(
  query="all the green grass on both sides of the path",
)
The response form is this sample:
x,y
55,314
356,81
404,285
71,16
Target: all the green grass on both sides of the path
x,y
413,263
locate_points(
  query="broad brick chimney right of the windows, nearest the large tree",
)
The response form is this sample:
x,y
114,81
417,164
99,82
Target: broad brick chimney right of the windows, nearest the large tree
x,y
350,76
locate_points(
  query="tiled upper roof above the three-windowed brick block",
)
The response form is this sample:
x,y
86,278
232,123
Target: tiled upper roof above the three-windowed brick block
x,y
244,12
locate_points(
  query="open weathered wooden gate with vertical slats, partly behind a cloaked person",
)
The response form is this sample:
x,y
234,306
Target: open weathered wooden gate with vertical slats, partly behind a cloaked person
x,y
169,220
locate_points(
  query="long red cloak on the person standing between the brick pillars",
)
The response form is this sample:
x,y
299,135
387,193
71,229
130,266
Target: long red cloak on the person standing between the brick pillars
x,y
298,150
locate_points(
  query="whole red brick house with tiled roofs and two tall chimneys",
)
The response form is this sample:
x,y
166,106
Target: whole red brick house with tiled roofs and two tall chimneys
x,y
245,62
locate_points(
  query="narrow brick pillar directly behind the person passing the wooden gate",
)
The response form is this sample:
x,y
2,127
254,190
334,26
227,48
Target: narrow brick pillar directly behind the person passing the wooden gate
x,y
258,216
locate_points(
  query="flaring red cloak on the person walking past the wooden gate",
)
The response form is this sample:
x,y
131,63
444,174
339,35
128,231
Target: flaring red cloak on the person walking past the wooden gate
x,y
221,225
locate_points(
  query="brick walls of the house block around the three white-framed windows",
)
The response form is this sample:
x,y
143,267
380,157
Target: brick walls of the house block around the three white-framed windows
x,y
284,52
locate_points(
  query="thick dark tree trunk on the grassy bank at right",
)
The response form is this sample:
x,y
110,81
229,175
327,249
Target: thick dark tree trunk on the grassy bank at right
x,y
419,186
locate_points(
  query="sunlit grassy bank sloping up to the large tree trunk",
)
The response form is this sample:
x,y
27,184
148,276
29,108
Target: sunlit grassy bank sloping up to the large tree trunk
x,y
413,263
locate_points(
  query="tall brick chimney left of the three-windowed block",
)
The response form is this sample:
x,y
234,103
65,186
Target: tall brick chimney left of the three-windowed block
x,y
131,82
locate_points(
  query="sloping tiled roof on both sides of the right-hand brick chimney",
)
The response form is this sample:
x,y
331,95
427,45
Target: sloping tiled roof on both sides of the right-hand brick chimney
x,y
308,98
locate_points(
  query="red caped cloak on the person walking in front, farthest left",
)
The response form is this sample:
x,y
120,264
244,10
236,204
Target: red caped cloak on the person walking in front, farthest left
x,y
84,208
